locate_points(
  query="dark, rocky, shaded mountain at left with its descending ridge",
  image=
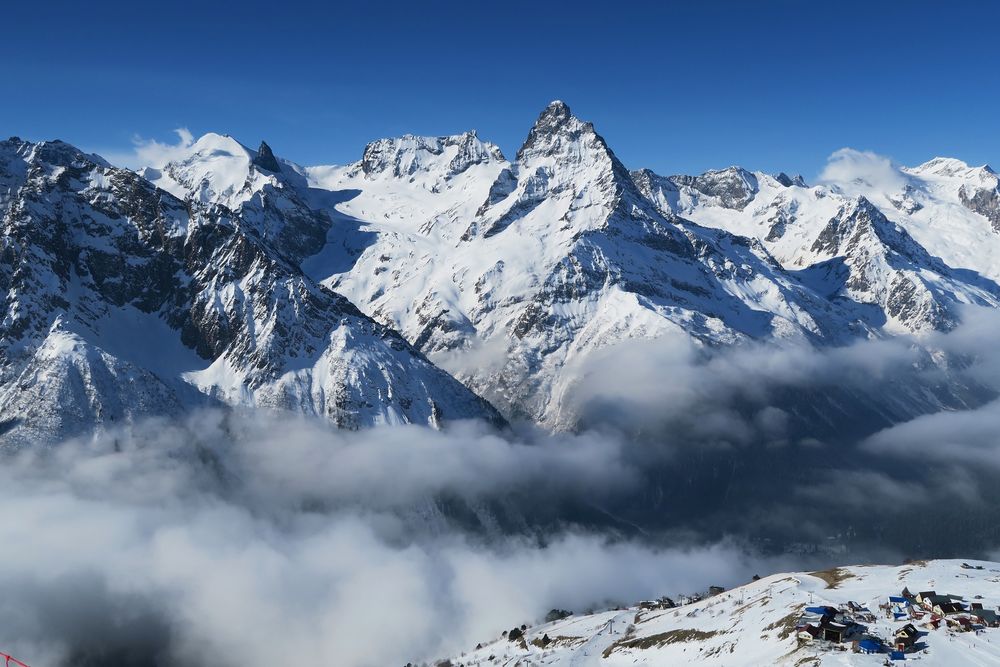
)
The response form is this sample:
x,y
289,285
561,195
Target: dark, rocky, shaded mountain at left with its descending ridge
x,y
122,300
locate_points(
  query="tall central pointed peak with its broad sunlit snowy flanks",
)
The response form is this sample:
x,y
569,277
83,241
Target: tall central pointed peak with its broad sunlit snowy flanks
x,y
512,273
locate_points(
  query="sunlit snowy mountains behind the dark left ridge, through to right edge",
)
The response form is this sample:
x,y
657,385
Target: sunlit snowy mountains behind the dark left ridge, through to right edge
x,y
512,274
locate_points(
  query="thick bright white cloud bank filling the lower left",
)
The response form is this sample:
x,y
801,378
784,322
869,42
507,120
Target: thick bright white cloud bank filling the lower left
x,y
249,540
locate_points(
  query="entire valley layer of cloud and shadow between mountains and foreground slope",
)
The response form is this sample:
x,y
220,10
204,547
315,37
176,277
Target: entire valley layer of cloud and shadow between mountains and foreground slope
x,y
256,539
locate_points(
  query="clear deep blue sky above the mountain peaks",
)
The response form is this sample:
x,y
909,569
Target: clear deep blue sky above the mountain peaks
x,y
675,86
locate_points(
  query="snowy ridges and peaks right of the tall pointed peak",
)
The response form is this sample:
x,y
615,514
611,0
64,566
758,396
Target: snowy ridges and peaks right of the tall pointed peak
x,y
910,248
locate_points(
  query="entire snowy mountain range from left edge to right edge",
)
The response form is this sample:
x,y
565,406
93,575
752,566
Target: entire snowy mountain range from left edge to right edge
x,y
230,276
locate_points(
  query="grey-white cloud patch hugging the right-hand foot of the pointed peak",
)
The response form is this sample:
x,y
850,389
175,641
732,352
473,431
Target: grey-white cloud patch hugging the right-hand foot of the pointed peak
x,y
640,385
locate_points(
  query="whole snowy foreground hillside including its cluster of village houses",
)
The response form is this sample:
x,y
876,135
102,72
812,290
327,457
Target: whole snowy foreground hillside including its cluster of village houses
x,y
860,615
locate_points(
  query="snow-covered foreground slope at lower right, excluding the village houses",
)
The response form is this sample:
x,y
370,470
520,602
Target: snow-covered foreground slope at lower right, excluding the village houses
x,y
755,624
